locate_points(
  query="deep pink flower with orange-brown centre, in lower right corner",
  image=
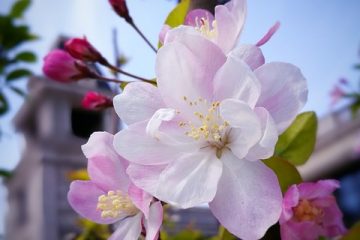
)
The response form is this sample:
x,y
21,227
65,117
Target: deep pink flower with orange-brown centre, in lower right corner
x,y
310,211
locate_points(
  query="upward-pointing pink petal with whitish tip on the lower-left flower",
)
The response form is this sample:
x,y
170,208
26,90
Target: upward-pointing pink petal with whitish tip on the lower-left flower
x,y
105,167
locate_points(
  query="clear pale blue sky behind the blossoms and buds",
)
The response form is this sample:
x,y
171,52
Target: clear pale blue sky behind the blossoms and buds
x,y
322,37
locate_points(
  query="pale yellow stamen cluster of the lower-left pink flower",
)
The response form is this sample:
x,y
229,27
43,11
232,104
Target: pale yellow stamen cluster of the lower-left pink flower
x,y
114,203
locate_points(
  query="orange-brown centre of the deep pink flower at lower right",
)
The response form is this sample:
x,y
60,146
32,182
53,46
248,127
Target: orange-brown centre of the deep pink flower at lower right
x,y
306,211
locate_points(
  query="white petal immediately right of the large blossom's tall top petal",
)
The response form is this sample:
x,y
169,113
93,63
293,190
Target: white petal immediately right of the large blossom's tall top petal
x,y
236,80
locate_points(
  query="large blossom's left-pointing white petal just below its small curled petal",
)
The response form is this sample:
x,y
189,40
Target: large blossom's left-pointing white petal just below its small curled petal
x,y
137,147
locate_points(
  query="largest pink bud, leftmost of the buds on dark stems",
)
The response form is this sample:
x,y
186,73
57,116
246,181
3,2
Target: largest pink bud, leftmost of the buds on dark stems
x,y
61,67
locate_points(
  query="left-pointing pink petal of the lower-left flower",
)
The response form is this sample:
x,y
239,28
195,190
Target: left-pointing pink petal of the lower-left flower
x,y
83,198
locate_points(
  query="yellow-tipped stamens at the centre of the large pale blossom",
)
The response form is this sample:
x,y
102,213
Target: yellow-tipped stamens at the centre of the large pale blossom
x,y
209,125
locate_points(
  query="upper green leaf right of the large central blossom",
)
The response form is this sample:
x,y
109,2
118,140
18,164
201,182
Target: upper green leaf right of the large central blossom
x,y
298,141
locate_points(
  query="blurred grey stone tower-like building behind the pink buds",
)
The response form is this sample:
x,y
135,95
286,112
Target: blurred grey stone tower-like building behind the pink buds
x,y
54,126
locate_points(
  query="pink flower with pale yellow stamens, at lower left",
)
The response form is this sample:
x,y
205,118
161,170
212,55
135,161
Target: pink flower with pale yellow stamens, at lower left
x,y
110,197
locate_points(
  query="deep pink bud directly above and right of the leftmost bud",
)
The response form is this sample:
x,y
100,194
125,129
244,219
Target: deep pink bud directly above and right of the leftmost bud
x,y
81,49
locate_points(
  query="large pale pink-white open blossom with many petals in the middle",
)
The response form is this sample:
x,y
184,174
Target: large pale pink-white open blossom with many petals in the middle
x,y
200,134
